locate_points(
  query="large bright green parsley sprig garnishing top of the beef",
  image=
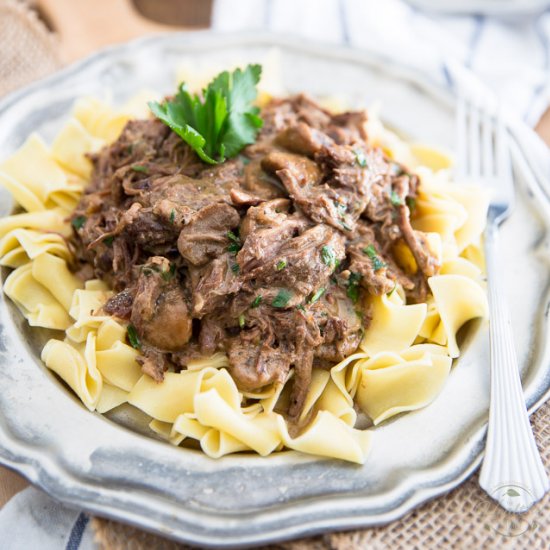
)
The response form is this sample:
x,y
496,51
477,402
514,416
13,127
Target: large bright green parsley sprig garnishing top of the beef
x,y
218,125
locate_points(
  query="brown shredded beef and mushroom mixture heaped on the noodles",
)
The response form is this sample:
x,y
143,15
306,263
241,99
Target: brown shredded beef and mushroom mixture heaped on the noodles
x,y
256,256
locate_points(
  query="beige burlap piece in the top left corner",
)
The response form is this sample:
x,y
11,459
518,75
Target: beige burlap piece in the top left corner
x,y
28,50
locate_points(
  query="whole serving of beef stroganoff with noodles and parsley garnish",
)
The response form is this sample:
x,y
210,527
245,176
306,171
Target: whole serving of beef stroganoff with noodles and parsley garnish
x,y
253,291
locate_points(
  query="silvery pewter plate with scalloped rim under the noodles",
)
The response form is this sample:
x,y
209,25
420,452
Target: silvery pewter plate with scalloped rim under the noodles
x,y
103,466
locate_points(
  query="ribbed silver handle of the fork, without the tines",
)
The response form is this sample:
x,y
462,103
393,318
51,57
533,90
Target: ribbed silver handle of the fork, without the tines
x,y
512,471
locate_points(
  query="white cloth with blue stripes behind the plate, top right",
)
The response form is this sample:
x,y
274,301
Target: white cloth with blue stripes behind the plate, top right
x,y
510,54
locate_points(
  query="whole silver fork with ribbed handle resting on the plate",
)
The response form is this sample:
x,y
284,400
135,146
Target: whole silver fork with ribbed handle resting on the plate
x,y
512,472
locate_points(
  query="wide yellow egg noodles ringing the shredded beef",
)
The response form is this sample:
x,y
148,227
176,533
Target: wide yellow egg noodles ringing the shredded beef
x,y
401,364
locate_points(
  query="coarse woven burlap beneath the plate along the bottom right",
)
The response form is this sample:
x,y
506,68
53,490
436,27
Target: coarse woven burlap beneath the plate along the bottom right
x,y
464,518
